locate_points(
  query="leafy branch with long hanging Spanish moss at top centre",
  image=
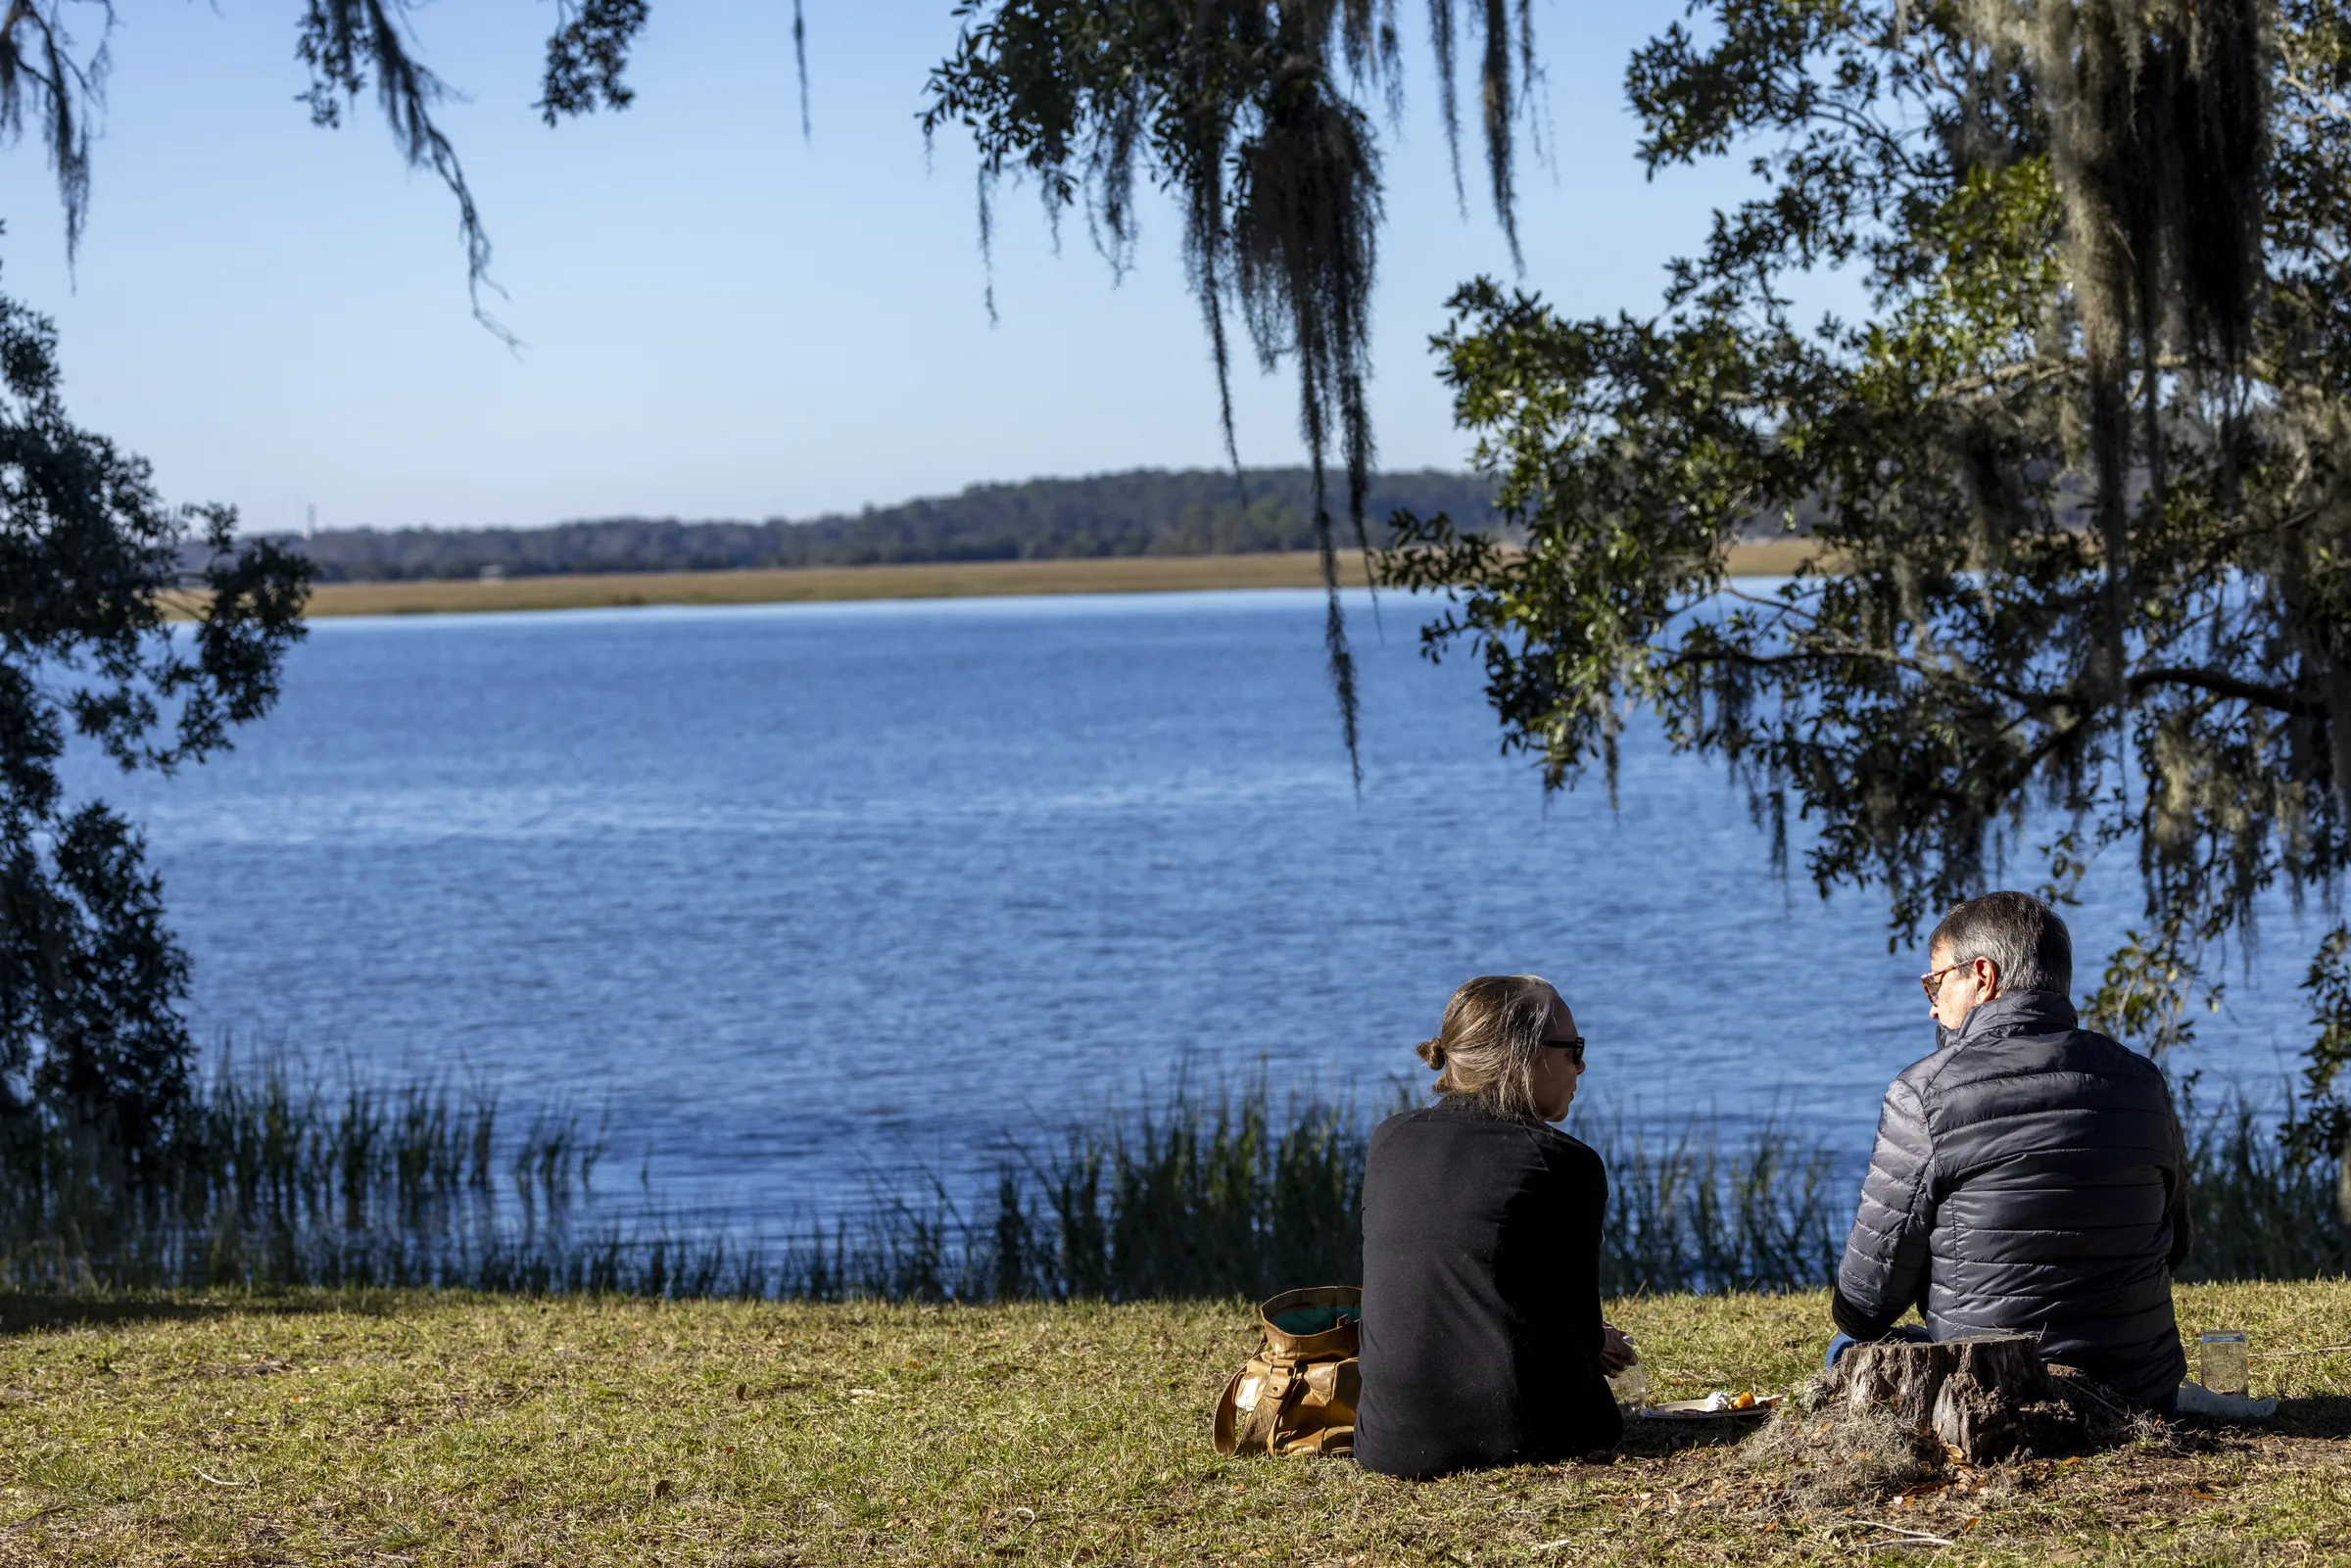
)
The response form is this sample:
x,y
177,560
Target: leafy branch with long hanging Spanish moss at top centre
x,y
1247,112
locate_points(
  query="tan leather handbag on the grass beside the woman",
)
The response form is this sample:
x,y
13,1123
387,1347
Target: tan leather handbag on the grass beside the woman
x,y
1299,1393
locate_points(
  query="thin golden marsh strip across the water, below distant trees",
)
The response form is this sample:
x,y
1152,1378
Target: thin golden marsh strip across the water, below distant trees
x,y
895,582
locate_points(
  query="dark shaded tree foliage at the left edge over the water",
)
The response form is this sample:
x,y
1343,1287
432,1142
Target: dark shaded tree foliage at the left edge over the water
x,y
91,563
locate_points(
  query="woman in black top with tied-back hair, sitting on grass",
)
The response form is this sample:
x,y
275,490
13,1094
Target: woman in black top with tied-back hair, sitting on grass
x,y
1482,1247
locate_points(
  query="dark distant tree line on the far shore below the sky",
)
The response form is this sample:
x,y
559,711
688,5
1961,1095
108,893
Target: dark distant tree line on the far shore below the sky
x,y
1130,514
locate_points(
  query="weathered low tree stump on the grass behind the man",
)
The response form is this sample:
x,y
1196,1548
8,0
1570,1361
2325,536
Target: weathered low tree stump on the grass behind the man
x,y
1967,1393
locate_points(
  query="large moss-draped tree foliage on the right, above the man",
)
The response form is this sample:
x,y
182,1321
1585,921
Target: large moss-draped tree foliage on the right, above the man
x,y
2079,474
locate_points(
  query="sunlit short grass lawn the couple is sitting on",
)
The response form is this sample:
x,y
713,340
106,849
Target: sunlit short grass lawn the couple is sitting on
x,y
394,1428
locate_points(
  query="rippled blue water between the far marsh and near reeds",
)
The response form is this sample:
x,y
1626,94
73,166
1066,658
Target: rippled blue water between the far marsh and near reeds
x,y
805,897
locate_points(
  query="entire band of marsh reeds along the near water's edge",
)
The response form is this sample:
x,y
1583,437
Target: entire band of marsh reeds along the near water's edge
x,y
272,1179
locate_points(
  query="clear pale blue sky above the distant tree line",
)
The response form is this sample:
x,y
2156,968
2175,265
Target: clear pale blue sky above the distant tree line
x,y
721,321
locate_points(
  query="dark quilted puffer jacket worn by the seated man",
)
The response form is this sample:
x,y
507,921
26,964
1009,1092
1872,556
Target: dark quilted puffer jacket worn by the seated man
x,y
2028,1179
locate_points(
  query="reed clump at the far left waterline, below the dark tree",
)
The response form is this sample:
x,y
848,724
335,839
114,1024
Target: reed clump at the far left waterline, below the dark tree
x,y
274,1179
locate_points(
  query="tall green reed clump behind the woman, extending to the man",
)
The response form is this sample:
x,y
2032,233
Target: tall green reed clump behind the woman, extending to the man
x,y
1233,1198
